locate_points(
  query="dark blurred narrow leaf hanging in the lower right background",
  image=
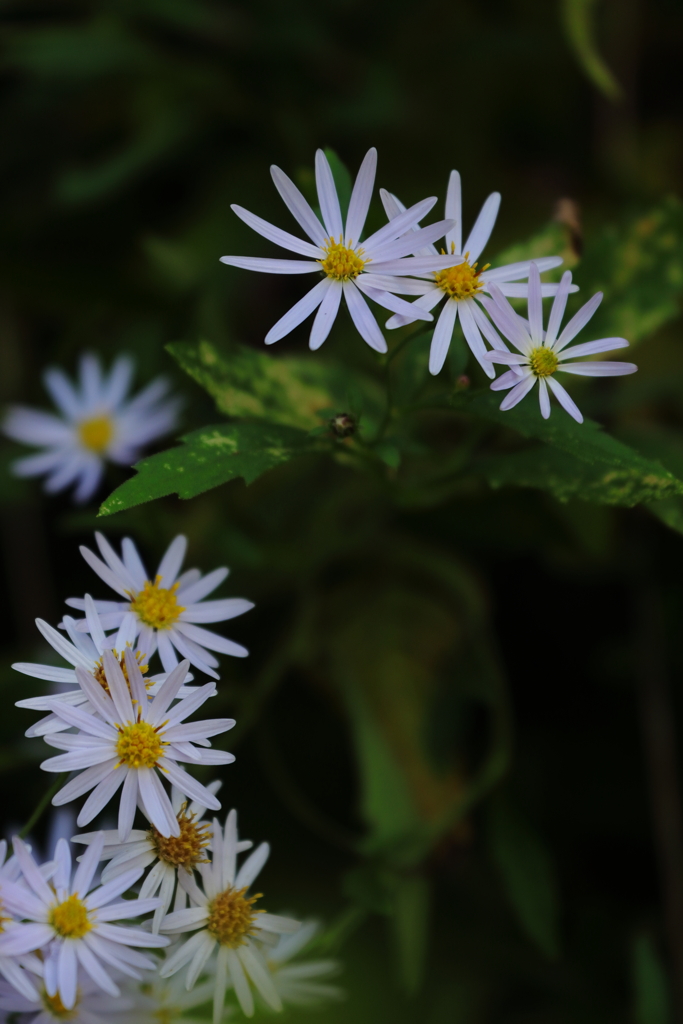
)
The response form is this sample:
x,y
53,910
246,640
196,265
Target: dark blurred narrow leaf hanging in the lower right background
x,y
528,875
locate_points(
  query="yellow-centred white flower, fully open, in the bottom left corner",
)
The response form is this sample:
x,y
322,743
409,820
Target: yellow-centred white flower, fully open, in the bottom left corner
x,y
71,926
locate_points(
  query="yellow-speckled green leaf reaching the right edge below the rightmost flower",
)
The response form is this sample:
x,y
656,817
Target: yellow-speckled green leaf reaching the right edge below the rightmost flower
x,y
588,463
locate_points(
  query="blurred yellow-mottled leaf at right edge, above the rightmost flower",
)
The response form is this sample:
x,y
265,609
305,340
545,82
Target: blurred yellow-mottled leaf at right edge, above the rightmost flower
x,y
639,267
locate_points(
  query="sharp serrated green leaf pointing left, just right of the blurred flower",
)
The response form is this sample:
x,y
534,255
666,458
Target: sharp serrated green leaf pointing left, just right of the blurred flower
x,y
208,458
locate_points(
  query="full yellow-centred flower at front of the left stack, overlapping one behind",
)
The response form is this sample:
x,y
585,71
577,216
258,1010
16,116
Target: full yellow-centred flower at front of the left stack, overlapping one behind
x,y
132,738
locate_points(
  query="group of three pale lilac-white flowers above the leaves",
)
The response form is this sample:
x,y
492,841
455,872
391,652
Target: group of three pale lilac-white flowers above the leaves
x,y
402,260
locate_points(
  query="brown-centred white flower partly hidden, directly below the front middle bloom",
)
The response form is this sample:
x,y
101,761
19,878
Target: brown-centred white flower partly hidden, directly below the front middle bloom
x,y
168,856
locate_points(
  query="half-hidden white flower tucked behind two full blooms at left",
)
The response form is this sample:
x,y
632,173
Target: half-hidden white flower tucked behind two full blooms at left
x,y
86,652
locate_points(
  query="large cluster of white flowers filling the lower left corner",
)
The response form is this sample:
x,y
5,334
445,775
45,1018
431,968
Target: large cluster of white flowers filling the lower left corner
x,y
70,943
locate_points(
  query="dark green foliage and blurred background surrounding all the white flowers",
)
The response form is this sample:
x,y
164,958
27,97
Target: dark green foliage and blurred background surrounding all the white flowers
x,y
438,728
